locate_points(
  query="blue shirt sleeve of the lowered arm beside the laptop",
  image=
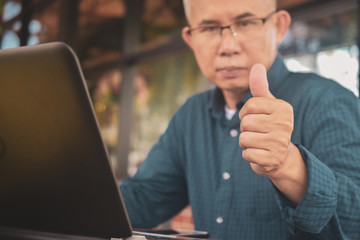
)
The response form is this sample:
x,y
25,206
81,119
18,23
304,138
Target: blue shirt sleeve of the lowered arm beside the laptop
x,y
158,189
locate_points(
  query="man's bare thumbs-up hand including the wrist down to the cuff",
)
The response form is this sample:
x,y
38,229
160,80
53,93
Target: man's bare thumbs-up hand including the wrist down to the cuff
x,y
266,128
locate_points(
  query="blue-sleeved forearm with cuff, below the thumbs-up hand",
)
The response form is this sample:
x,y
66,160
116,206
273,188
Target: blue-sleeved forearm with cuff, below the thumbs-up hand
x,y
330,208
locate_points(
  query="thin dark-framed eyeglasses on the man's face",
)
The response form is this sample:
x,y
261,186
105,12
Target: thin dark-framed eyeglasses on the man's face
x,y
244,28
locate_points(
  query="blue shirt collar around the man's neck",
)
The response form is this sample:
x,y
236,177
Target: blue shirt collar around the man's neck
x,y
276,75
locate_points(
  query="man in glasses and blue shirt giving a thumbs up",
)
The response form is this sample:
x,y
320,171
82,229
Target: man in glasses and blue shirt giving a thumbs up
x,y
268,154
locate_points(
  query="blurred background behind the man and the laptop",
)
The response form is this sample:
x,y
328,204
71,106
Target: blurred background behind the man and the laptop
x,y
139,71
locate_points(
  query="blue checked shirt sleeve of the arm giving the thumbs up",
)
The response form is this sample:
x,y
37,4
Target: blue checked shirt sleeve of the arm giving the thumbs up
x,y
330,208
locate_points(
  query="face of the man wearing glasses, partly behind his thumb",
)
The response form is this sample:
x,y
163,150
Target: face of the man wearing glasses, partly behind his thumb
x,y
226,60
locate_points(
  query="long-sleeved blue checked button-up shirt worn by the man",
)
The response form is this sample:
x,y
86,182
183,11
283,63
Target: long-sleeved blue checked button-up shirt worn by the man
x,y
198,161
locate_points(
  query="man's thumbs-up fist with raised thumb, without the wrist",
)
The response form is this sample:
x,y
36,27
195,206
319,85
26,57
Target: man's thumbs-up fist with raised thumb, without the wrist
x,y
266,127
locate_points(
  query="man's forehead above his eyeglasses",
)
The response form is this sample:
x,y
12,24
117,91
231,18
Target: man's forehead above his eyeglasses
x,y
225,10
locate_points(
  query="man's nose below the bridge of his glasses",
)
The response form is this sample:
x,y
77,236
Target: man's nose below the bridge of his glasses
x,y
229,45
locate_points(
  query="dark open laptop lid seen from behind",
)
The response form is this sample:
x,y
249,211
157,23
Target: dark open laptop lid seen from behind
x,y
55,174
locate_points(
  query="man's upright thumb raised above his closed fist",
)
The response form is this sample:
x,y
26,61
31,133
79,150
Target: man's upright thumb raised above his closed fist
x,y
258,83
